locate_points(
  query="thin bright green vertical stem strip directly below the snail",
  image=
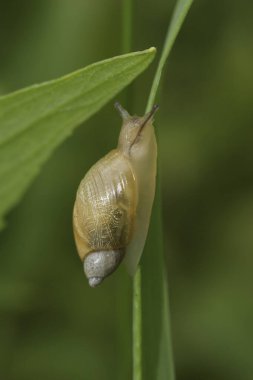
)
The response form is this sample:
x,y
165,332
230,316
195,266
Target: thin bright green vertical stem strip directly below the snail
x,y
137,326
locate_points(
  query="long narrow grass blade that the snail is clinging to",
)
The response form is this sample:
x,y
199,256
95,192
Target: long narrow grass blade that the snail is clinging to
x,y
157,358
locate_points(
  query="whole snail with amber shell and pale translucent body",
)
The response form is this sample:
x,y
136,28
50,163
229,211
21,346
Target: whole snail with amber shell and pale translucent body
x,y
114,200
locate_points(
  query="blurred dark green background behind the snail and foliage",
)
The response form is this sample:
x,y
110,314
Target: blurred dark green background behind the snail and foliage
x,y
52,326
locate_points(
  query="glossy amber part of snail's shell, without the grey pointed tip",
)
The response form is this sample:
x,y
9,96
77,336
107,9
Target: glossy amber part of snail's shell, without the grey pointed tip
x,y
105,206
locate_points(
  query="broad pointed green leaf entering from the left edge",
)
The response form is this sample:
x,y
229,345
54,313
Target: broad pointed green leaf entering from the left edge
x,y
34,121
